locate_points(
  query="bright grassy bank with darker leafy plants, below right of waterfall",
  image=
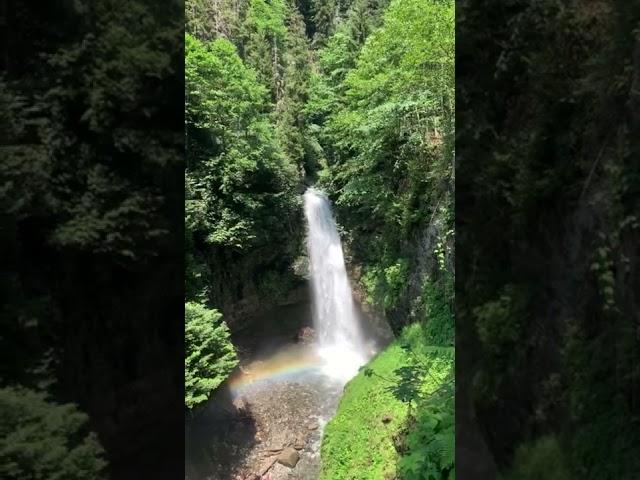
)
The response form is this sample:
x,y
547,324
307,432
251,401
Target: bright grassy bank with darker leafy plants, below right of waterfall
x,y
409,385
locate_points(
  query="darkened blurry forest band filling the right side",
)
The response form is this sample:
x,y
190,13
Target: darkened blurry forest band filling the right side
x,y
547,337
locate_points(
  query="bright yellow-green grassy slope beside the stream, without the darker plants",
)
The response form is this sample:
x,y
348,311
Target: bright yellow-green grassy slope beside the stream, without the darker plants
x,y
357,444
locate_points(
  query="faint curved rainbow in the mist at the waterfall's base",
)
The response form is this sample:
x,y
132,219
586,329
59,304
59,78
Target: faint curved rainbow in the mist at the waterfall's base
x,y
282,366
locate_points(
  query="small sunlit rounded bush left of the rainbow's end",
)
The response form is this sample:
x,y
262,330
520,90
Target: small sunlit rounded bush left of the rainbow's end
x,y
209,354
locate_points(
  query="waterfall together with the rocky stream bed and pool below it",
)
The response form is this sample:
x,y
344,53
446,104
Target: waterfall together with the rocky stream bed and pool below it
x,y
287,390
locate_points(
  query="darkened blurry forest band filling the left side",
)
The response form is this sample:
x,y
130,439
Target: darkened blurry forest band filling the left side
x,y
91,145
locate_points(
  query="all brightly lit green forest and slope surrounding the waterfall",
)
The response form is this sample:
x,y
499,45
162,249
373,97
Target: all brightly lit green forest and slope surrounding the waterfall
x,y
356,98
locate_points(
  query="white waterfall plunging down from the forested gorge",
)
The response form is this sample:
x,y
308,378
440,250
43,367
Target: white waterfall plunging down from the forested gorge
x,y
340,340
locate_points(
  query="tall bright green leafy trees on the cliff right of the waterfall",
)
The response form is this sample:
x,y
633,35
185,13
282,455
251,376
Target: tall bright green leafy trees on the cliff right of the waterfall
x,y
381,111
